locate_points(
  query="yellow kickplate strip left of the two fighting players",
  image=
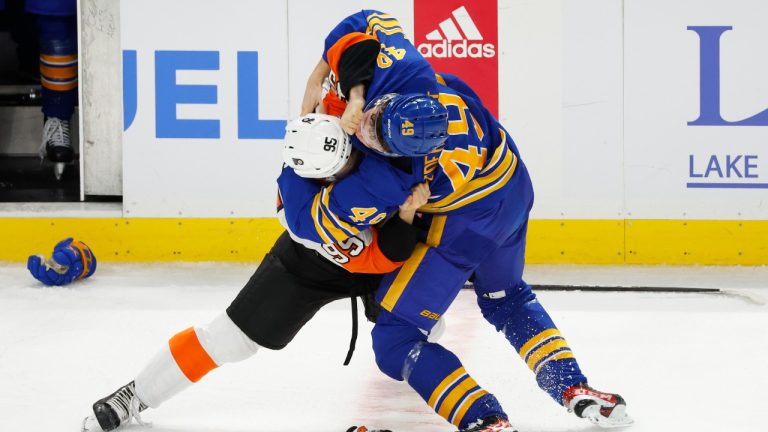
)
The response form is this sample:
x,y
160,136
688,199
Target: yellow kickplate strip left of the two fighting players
x,y
143,240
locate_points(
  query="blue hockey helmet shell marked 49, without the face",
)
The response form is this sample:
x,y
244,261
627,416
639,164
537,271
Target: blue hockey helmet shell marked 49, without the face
x,y
414,124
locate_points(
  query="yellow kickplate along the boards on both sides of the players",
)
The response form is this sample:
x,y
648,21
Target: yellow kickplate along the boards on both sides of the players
x,y
567,241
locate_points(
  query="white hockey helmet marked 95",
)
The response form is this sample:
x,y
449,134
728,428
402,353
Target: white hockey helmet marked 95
x,y
316,146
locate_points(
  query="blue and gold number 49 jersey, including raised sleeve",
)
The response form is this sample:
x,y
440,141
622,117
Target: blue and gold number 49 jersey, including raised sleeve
x,y
478,159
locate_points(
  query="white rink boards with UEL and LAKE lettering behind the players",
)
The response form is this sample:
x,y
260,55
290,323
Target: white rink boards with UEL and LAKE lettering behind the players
x,y
618,114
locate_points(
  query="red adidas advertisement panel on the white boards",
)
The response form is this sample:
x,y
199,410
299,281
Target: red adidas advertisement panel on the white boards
x,y
461,37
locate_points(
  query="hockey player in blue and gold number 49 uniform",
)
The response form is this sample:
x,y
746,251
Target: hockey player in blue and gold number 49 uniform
x,y
418,127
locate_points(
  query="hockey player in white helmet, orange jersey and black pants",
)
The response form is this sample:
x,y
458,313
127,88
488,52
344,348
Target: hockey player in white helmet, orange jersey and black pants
x,y
290,285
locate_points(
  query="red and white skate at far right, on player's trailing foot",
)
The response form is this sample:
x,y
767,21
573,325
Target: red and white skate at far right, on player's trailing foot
x,y
603,409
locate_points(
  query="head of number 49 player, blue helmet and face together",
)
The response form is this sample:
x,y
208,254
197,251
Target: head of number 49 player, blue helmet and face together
x,y
404,125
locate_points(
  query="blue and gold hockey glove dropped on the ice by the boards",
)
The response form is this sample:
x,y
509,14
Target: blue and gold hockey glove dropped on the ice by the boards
x,y
70,261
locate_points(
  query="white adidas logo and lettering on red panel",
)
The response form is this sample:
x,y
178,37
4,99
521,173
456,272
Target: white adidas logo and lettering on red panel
x,y
453,39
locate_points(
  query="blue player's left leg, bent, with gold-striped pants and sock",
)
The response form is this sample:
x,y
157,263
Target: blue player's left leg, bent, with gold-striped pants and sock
x,y
420,292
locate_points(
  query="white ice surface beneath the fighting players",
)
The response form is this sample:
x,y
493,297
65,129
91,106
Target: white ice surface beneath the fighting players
x,y
684,362
